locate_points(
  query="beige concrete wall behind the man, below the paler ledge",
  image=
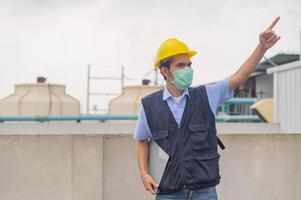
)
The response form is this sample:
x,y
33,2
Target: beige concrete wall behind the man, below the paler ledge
x,y
104,167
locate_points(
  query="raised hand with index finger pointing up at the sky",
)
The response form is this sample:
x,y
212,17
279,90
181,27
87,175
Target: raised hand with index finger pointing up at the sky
x,y
268,38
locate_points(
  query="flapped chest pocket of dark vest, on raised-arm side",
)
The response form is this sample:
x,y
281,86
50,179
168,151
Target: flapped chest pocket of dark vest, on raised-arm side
x,y
200,136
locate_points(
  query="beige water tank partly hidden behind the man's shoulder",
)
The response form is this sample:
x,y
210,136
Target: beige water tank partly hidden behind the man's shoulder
x,y
129,101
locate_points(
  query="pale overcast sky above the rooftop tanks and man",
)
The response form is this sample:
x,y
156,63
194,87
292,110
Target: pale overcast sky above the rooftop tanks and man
x,y
59,38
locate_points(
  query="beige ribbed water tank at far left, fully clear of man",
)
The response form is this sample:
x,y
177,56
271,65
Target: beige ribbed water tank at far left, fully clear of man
x,y
39,99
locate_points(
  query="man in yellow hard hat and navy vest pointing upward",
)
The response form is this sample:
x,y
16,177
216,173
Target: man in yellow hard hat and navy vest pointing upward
x,y
181,120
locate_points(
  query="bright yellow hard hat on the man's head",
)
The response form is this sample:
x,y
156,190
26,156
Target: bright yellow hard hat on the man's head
x,y
172,47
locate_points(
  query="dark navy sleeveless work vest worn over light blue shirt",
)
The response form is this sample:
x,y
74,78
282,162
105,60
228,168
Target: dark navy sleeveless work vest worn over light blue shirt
x,y
192,147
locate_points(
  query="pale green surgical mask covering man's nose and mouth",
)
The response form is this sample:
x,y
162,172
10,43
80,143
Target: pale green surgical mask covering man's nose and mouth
x,y
183,78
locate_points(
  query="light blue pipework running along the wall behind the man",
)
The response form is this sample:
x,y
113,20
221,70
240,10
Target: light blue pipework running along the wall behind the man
x,y
79,118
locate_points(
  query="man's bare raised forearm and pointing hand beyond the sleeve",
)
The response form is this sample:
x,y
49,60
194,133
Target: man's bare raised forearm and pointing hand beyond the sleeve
x,y
267,39
